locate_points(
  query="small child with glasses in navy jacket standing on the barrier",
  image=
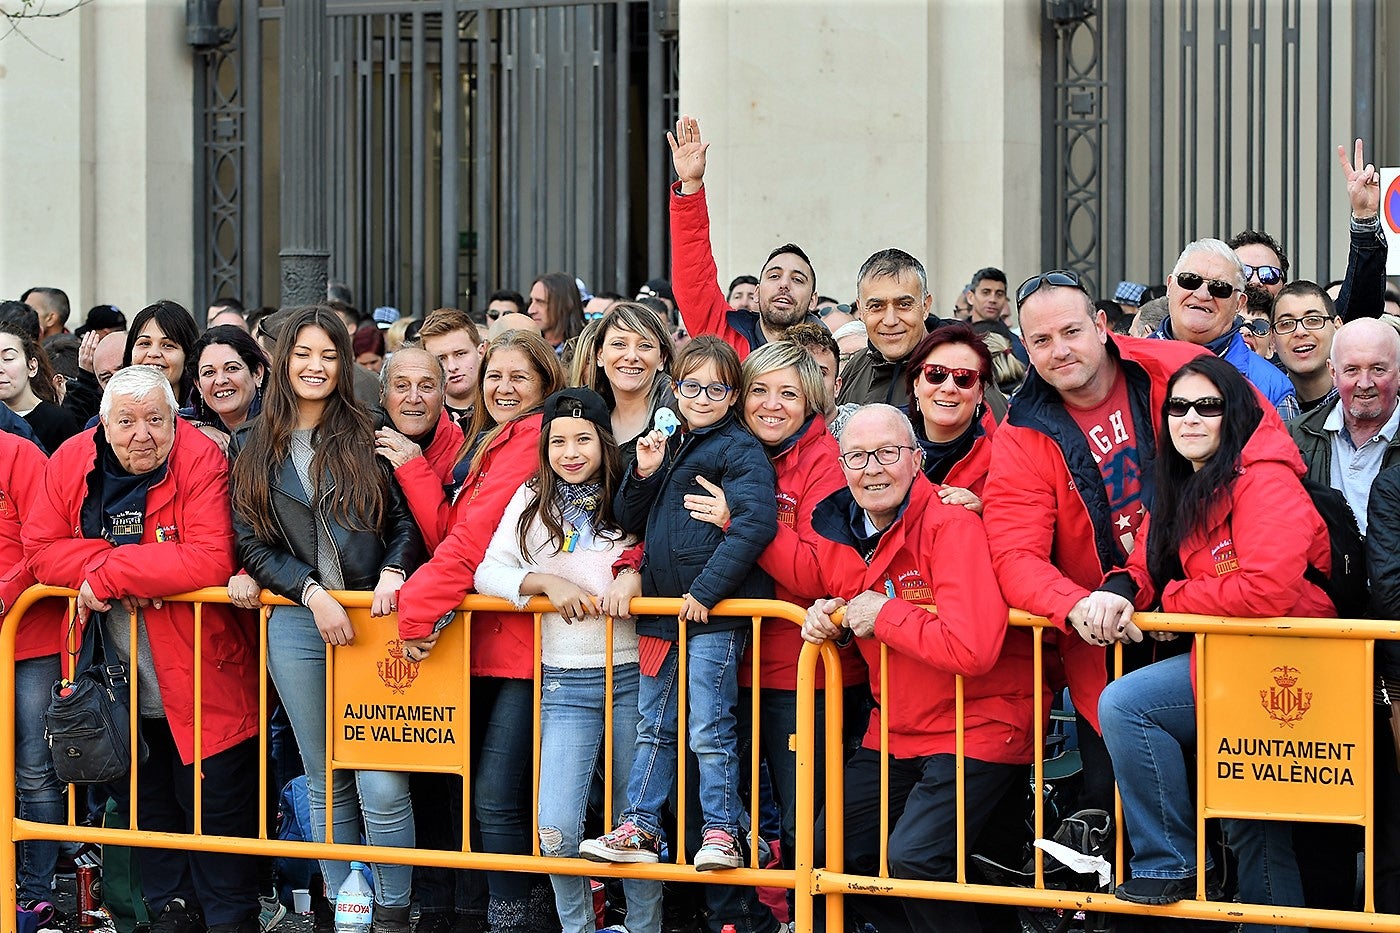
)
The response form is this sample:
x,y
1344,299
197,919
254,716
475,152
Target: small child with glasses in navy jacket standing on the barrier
x,y
703,565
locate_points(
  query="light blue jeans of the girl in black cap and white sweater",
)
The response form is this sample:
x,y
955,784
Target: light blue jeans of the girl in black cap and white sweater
x,y
572,718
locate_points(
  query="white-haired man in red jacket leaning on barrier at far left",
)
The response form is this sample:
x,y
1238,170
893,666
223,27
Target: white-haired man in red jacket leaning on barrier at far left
x,y
132,512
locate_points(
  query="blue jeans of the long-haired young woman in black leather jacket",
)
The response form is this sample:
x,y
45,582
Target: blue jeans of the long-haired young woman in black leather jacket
x,y
297,663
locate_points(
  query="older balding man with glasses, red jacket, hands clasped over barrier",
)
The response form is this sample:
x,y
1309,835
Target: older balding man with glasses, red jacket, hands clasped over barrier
x,y
881,547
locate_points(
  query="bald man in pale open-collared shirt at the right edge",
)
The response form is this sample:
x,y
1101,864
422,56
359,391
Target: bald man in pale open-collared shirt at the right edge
x,y
1349,442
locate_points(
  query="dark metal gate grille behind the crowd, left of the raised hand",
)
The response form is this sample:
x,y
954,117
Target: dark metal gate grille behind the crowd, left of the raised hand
x,y
470,145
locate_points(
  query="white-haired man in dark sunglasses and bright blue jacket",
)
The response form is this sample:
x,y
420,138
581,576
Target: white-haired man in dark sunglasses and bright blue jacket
x,y
1206,293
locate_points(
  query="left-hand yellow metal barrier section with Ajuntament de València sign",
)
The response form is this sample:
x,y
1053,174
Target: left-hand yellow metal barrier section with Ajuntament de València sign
x,y
345,668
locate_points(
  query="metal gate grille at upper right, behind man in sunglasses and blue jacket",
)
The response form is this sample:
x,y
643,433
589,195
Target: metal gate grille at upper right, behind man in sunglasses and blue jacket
x,y
1178,120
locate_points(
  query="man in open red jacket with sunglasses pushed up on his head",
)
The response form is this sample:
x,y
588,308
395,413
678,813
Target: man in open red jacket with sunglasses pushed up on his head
x,y
1070,481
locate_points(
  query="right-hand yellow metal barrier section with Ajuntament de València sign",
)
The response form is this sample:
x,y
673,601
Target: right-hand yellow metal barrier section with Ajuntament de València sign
x,y
832,883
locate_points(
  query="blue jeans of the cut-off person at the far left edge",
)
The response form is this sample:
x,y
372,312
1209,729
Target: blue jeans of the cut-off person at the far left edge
x,y
41,795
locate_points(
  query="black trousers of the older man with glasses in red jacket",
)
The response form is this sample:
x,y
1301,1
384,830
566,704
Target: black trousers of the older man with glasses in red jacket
x,y
923,838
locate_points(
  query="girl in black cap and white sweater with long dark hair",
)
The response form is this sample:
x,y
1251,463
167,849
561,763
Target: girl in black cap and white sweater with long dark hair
x,y
559,539
